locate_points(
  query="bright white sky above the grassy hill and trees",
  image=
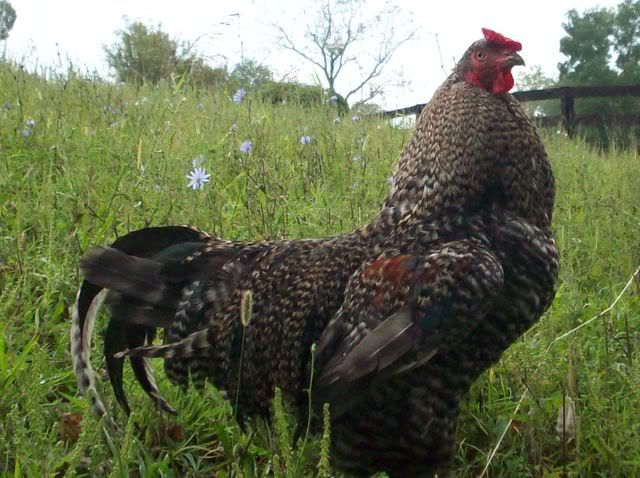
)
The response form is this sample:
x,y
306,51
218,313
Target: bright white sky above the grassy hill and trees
x,y
78,29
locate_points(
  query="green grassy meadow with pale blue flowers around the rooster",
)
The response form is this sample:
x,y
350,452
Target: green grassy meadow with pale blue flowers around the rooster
x,y
102,160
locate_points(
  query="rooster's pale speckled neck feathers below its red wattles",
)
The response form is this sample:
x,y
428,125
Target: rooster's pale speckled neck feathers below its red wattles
x,y
498,165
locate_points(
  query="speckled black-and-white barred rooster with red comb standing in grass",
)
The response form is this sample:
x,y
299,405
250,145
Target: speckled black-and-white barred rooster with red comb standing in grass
x,y
406,311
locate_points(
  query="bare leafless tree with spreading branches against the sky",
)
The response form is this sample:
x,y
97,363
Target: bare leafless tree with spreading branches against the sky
x,y
344,37
